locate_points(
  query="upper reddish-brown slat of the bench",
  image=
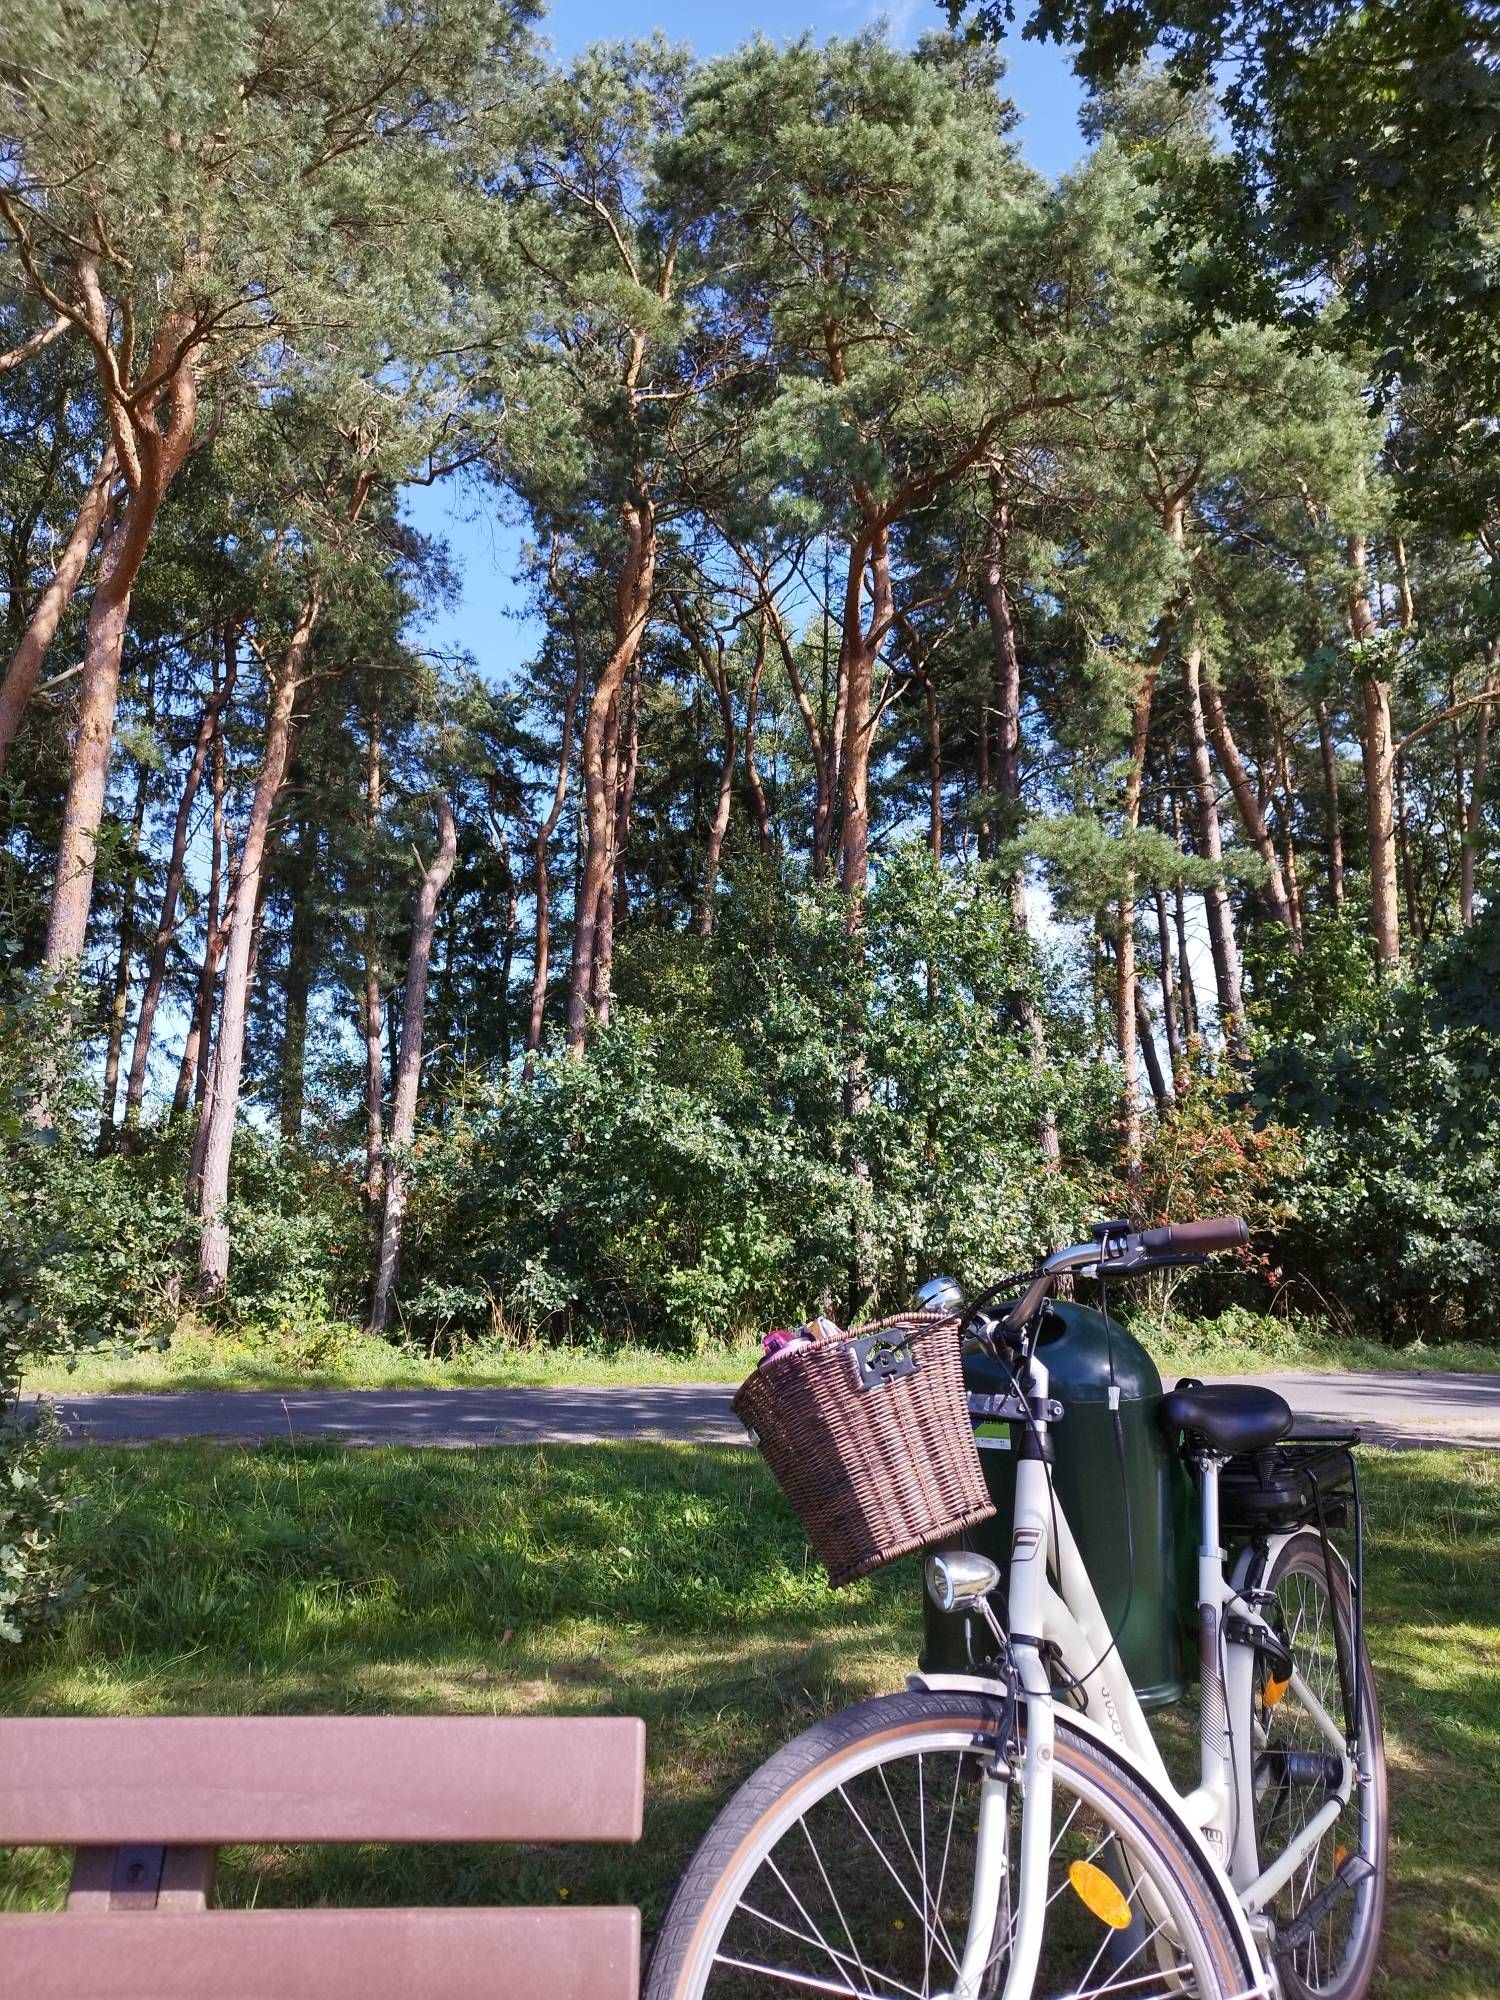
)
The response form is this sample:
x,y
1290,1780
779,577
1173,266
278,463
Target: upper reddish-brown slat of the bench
x,y
211,1781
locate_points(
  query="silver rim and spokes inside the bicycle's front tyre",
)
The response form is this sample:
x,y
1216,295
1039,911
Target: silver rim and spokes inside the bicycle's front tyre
x,y
859,1885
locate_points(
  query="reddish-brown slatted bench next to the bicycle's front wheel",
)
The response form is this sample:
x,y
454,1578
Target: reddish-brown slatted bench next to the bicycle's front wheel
x,y
149,1803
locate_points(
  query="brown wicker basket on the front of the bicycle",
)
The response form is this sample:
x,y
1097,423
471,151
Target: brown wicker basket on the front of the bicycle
x,y
871,1441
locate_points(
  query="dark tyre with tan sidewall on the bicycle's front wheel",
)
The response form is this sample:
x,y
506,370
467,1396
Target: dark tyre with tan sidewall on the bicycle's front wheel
x,y
827,1757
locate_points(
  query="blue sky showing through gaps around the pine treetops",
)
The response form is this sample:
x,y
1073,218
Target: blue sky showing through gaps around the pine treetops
x,y
483,547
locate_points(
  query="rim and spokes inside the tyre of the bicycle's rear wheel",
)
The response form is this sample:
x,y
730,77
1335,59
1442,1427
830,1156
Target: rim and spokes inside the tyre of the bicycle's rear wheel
x,y
1305,1615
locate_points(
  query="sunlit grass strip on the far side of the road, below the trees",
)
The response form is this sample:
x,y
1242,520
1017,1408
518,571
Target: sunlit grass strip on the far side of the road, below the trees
x,y
197,1359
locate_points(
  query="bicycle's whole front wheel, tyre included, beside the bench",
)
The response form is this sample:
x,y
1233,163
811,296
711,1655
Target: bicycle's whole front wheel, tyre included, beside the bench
x,y
847,1867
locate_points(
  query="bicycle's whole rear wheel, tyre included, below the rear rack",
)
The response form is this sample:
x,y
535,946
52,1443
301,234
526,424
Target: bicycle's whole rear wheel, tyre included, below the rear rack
x,y
1329,1915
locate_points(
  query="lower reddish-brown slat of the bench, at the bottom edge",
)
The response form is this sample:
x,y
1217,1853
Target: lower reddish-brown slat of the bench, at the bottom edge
x,y
323,1955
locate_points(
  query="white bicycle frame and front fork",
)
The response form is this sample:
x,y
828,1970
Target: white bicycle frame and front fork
x,y
1053,1605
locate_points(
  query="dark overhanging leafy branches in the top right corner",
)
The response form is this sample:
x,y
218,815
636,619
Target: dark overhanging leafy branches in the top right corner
x,y
1363,163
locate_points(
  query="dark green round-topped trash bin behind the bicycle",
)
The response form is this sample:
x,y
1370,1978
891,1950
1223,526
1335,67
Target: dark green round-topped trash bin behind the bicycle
x,y
1155,1487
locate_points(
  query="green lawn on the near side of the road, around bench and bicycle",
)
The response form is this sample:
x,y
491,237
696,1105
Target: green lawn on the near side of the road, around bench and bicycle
x,y
669,1583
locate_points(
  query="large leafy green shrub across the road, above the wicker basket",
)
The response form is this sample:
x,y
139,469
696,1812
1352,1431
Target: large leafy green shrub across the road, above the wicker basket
x,y
697,1177
